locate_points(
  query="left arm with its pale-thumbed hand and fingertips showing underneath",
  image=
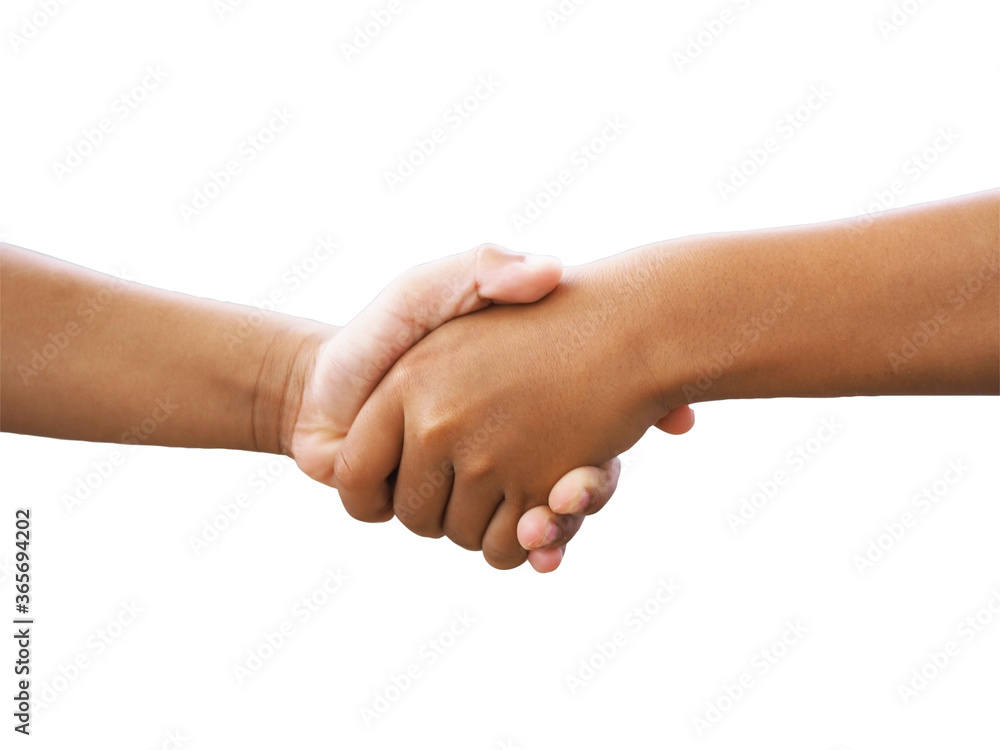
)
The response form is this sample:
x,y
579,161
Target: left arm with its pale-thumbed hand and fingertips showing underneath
x,y
216,375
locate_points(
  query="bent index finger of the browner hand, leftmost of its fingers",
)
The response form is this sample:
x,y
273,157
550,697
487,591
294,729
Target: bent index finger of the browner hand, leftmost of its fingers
x,y
368,456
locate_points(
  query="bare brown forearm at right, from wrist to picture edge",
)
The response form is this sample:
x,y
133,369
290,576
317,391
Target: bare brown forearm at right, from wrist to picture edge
x,y
907,304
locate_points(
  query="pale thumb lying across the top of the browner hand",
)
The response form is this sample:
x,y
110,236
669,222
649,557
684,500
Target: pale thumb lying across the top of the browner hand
x,y
425,298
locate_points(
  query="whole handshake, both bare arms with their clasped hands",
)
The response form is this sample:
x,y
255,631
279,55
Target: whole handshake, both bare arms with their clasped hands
x,y
485,397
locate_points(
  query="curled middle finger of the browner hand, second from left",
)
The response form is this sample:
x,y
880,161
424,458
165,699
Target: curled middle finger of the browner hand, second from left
x,y
423,485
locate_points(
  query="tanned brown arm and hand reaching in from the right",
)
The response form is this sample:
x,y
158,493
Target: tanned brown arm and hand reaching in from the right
x,y
837,309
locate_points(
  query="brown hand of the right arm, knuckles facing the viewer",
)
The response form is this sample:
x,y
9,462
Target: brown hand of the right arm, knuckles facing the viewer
x,y
495,407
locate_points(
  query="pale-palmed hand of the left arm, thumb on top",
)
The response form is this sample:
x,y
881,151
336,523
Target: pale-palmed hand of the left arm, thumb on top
x,y
348,365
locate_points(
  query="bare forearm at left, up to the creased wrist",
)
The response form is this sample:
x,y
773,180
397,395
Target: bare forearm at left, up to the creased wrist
x,y
89,357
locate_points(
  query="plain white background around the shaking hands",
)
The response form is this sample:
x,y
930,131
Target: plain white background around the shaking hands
x,y
503,682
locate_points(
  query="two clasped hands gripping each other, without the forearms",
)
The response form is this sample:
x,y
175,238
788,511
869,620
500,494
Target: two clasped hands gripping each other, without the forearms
x,y
498,428
